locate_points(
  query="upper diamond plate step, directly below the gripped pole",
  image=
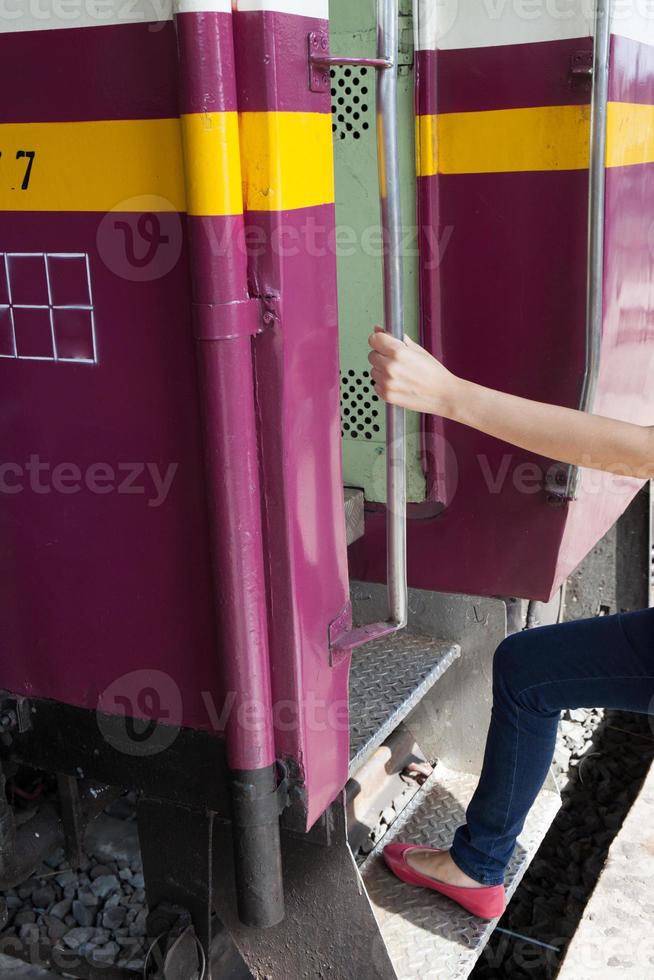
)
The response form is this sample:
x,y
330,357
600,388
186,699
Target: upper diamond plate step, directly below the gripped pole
x,y
388,678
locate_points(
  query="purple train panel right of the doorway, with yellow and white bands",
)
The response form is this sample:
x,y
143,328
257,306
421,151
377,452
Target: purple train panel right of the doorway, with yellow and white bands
x,y
503,105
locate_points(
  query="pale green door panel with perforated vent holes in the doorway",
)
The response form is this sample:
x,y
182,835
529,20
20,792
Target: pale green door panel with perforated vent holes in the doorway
x,y
358,241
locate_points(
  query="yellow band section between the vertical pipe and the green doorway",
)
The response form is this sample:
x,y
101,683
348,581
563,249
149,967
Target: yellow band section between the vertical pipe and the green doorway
x,y
287,160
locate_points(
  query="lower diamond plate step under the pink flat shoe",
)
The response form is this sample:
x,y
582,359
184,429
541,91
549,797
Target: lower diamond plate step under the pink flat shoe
x,y
426,935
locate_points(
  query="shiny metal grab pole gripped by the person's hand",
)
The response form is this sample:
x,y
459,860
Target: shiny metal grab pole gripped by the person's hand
x,y
391,220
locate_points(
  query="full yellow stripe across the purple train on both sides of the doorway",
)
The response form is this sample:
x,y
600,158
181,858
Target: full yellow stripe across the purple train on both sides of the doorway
x,y
285,157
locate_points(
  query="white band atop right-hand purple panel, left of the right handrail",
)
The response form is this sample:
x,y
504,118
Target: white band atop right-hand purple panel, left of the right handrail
x,y
448,24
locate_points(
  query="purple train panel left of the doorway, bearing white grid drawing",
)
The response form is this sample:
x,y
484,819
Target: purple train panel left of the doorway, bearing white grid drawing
x,y
152,168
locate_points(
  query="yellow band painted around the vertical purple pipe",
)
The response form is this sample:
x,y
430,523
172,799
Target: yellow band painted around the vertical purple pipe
x,y
212,162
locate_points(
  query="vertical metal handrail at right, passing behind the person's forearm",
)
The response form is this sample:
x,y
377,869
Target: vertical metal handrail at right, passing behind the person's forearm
x,y
596,208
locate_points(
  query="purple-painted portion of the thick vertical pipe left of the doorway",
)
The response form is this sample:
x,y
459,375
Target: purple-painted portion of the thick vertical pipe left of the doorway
x,y
225,320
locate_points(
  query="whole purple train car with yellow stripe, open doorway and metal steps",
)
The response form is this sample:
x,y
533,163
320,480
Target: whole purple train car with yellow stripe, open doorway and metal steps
x,y
232,582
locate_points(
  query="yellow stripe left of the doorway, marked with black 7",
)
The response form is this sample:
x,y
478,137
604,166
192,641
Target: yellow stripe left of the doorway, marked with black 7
x,y
286,159
